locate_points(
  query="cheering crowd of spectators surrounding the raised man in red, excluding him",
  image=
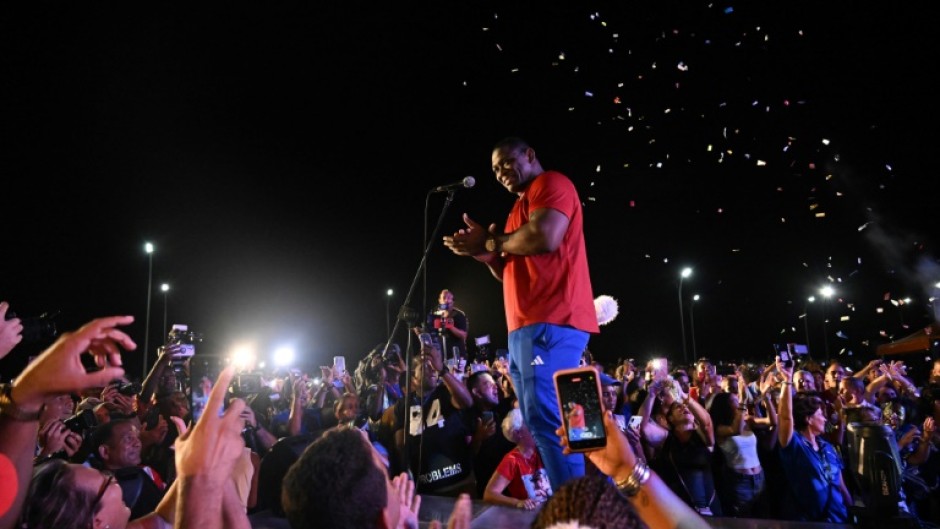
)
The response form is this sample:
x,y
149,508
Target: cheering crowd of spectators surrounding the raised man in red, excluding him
x,y
768,441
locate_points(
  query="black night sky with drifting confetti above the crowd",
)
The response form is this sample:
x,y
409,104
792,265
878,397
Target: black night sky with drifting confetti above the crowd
x,y
279,157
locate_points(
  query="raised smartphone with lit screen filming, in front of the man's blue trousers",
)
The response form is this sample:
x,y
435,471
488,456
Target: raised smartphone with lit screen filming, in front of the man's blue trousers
x,y
579,403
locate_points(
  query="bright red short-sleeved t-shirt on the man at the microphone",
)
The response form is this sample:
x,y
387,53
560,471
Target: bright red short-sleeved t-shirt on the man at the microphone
x,y
551,287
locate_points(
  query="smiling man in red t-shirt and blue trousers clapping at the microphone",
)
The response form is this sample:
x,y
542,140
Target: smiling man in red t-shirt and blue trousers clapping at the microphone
x,y
541,259
